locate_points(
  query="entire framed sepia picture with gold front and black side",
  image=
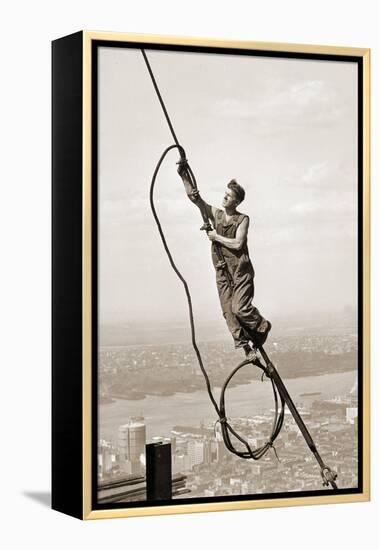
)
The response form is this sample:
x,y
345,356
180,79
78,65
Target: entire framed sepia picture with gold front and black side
x,y
210,275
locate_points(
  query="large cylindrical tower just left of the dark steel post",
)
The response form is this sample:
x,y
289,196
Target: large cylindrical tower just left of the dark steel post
x,y
131,442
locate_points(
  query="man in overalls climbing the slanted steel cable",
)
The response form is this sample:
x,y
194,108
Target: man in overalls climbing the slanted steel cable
x,y
244,321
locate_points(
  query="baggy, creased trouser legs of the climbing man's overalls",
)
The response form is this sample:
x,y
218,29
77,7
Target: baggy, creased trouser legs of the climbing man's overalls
x,y
241,316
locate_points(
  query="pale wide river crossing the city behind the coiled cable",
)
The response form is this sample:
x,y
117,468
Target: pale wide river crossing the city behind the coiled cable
x,y
190,409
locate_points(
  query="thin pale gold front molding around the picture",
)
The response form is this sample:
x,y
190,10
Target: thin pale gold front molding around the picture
x,y
364,53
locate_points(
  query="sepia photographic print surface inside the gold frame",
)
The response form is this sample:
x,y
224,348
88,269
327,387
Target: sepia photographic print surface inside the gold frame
x,y
284,131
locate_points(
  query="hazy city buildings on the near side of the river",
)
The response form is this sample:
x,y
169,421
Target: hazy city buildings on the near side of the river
x,y
198,453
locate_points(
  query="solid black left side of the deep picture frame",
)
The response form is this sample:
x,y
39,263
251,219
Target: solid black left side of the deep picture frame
x,y
67,131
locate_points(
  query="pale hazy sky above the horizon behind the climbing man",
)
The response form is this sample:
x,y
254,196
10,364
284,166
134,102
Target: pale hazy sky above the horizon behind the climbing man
x,y
285,129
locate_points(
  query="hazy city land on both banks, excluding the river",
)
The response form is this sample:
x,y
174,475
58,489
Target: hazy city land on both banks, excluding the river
x,y
198,450
